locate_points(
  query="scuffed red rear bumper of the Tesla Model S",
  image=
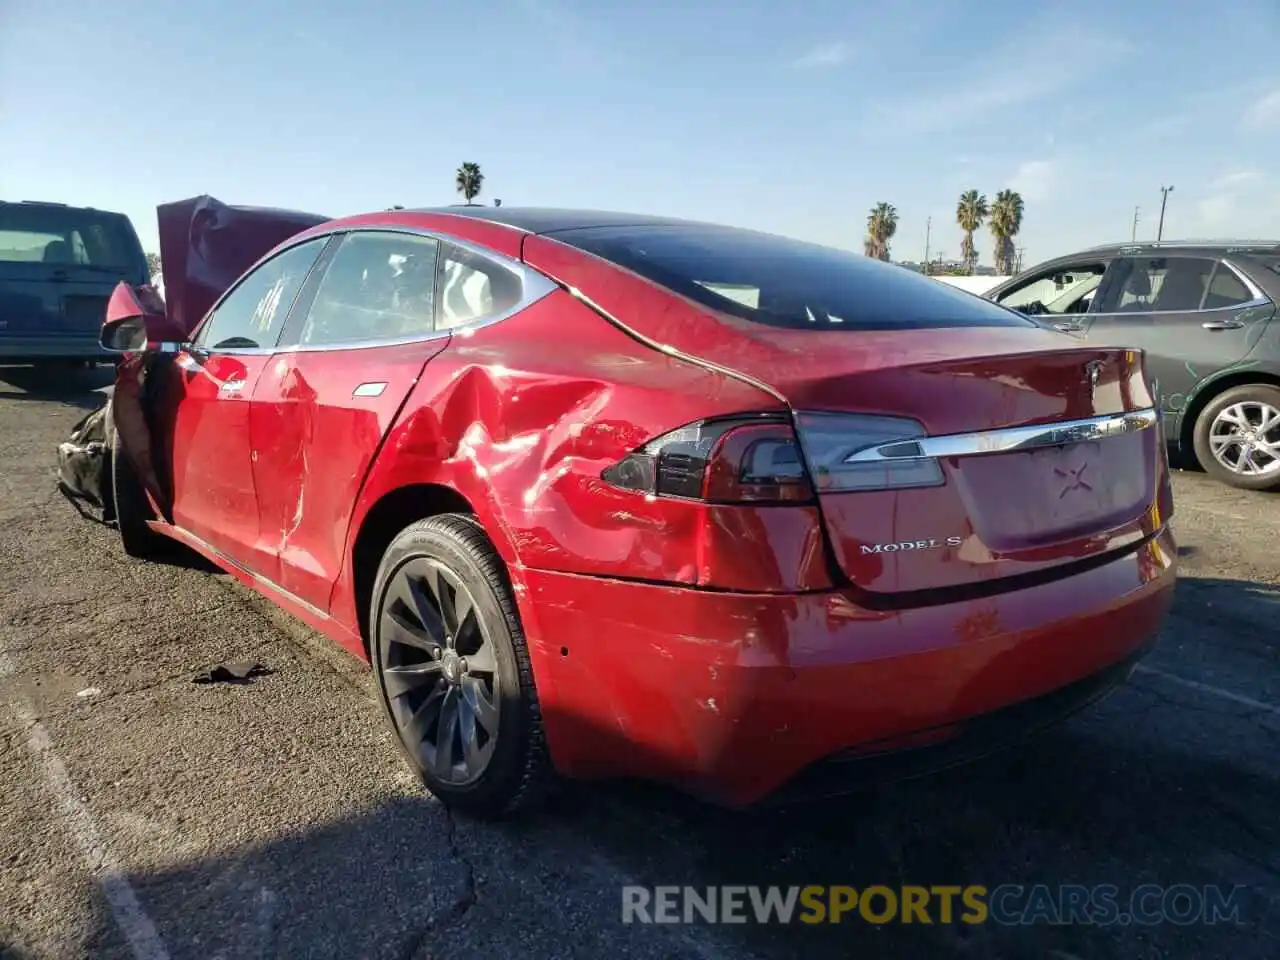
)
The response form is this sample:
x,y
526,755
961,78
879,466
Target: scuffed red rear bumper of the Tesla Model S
x,y
734,696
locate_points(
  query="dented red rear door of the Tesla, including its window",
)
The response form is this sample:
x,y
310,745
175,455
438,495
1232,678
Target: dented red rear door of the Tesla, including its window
x,y
356,346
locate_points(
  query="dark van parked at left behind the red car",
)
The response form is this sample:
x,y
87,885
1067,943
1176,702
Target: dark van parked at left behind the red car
x,y
58,268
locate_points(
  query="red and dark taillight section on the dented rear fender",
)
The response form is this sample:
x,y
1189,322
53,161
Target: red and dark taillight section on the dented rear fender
x,y
720,461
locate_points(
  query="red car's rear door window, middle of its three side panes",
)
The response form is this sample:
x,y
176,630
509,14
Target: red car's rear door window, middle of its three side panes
x,y
378,287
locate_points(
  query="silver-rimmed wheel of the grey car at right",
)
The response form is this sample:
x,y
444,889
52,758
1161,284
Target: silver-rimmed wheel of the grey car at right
x,y
1220,428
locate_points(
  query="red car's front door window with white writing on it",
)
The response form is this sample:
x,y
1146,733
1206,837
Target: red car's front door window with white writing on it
x,y
252,316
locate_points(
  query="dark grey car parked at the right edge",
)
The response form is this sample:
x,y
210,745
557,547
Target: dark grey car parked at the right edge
x,y
1205,316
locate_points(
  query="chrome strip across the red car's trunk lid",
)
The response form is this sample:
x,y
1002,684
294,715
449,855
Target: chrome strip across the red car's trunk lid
x,y
1014,438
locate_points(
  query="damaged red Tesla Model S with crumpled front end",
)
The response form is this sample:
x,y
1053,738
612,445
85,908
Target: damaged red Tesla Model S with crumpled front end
x,y
628,496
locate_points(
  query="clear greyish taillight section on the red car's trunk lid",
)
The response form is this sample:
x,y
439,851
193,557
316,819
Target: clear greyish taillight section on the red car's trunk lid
x,y
849,452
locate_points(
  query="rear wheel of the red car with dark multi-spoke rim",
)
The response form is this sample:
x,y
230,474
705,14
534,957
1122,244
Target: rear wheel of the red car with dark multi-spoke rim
x,y
451,662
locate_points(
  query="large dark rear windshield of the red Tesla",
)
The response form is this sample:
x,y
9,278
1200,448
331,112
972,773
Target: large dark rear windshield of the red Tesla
x,y
787,284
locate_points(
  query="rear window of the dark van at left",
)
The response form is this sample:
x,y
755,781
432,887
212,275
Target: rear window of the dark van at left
x,y
67,236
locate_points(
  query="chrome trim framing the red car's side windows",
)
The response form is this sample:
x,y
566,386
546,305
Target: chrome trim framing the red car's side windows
x,y
533,287
